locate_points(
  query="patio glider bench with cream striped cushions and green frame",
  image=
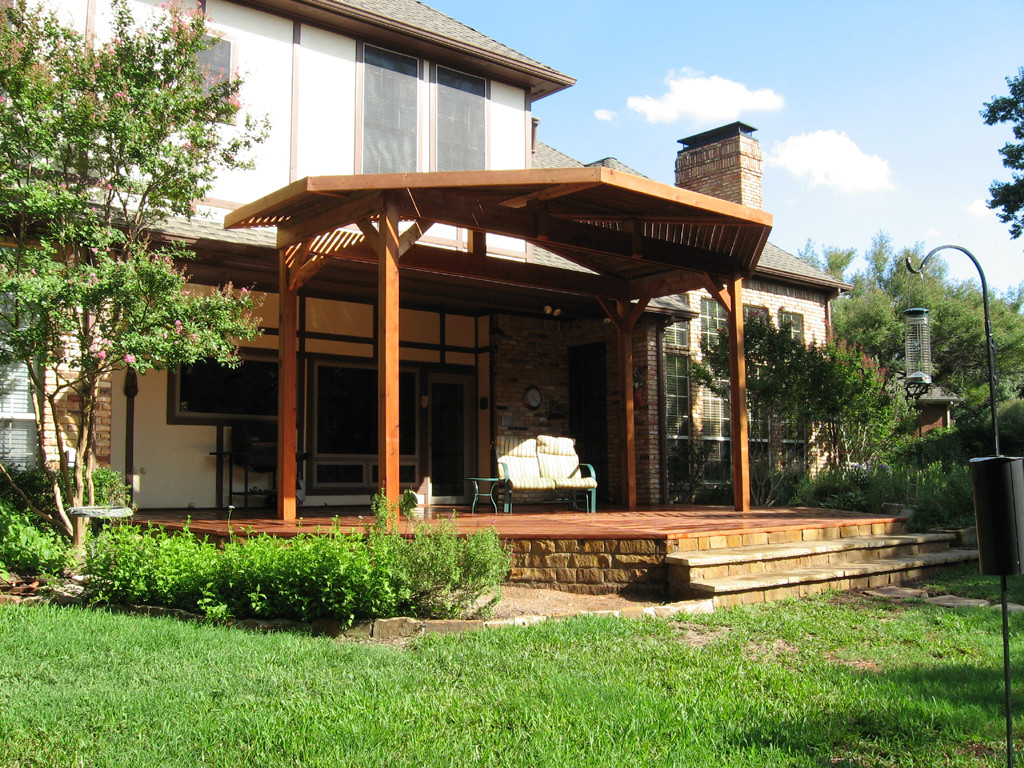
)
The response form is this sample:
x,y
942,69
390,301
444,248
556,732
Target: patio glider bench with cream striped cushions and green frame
x,y
545,463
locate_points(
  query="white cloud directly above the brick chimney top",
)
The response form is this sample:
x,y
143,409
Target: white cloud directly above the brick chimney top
x,y
706,100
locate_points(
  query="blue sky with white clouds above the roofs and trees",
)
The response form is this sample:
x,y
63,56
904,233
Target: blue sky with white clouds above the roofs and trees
x,y
868,112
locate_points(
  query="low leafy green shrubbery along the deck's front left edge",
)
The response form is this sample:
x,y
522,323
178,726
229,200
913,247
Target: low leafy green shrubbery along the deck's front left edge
x,y
437,573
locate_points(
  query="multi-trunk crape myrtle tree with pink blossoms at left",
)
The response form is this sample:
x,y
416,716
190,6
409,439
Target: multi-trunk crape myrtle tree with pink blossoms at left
x,y
100,143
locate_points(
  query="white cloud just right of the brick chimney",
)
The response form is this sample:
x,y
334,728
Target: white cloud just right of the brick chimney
x,y
832,159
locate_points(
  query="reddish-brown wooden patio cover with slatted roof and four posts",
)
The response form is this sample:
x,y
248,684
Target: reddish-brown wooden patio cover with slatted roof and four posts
x,y
635,239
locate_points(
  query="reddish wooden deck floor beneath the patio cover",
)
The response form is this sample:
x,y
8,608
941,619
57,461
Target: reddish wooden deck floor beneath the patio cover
x,y
723,525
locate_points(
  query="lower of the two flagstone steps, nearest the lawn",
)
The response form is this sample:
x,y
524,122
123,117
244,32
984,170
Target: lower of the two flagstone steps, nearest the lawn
x,y
809,580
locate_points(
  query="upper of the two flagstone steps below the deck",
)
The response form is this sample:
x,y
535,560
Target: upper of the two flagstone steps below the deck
x,y
770,558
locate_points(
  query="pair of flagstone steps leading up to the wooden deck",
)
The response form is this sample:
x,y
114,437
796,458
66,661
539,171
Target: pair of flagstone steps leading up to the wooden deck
x,y
748,575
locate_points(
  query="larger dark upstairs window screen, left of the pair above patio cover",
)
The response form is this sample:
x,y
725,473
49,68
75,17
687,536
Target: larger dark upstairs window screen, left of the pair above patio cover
x,y
390,112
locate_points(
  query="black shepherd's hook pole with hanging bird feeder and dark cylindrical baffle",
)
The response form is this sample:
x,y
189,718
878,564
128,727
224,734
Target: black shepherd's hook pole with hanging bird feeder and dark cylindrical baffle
x,y
998,481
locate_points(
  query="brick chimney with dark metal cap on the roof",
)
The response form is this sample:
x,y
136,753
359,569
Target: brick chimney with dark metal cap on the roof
x,y
724,163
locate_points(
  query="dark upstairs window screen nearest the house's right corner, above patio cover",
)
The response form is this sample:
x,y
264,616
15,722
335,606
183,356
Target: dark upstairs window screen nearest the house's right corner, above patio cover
x,y
461,130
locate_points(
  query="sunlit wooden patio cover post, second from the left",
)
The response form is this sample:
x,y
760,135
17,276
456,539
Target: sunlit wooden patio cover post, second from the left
x,y
388,352
